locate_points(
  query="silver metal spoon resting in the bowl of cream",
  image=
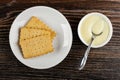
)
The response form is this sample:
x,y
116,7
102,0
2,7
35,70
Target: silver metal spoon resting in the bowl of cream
x,y
88,50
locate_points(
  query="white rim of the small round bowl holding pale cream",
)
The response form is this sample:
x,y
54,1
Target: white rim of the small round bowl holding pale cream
x,y
106,19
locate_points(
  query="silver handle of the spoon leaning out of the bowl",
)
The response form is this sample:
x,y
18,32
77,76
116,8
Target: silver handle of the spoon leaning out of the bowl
x,y
83,62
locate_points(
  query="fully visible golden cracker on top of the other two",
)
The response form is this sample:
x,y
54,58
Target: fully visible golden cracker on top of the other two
x,y
36,46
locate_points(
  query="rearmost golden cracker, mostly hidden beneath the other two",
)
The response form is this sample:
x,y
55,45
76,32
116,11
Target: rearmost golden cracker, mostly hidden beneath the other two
x,y
35,23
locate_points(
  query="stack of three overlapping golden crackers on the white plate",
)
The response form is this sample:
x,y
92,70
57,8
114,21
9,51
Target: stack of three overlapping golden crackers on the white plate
x,y
36,38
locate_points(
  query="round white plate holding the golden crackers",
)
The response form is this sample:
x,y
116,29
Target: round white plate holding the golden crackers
x,y
62,42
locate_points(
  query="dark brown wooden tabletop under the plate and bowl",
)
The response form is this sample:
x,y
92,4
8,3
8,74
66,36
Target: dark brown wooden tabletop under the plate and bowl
x,y
102,64
